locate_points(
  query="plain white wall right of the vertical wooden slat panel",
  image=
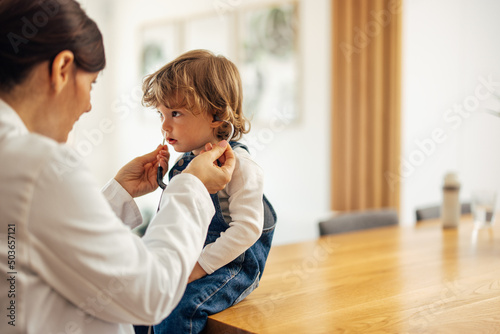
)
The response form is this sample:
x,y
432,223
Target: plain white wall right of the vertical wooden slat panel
x,y
447,46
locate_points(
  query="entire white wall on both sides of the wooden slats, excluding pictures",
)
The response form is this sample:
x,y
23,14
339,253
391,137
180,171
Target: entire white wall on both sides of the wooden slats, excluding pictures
x,y
447,46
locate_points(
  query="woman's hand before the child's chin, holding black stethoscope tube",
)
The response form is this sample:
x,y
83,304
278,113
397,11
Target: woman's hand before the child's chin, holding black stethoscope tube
x,y
138,177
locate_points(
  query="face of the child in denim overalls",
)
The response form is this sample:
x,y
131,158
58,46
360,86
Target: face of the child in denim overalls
x,y
185,131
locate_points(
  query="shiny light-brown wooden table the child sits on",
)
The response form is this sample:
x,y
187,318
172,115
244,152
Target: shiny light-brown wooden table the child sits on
x,y
419,279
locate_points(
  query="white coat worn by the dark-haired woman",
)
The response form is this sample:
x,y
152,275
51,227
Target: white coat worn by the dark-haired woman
x,y
74,266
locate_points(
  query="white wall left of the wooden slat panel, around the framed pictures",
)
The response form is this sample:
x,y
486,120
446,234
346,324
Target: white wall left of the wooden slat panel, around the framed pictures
x,y
294,157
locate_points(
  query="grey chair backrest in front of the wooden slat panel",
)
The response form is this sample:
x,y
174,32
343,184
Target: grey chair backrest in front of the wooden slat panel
x,y
358,220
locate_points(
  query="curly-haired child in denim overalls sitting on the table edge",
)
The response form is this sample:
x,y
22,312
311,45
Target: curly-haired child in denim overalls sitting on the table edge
x,y
199,99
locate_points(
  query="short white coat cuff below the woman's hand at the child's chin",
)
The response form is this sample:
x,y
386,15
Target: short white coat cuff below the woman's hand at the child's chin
x,y
122,203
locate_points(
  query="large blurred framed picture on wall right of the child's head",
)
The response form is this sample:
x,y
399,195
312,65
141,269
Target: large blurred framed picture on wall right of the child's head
x,y
269,61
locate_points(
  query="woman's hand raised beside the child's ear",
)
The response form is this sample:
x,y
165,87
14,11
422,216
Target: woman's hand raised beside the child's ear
x,y
205,167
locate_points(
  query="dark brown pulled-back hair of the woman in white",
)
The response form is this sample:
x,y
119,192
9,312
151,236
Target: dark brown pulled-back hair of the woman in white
x,y
34,31
